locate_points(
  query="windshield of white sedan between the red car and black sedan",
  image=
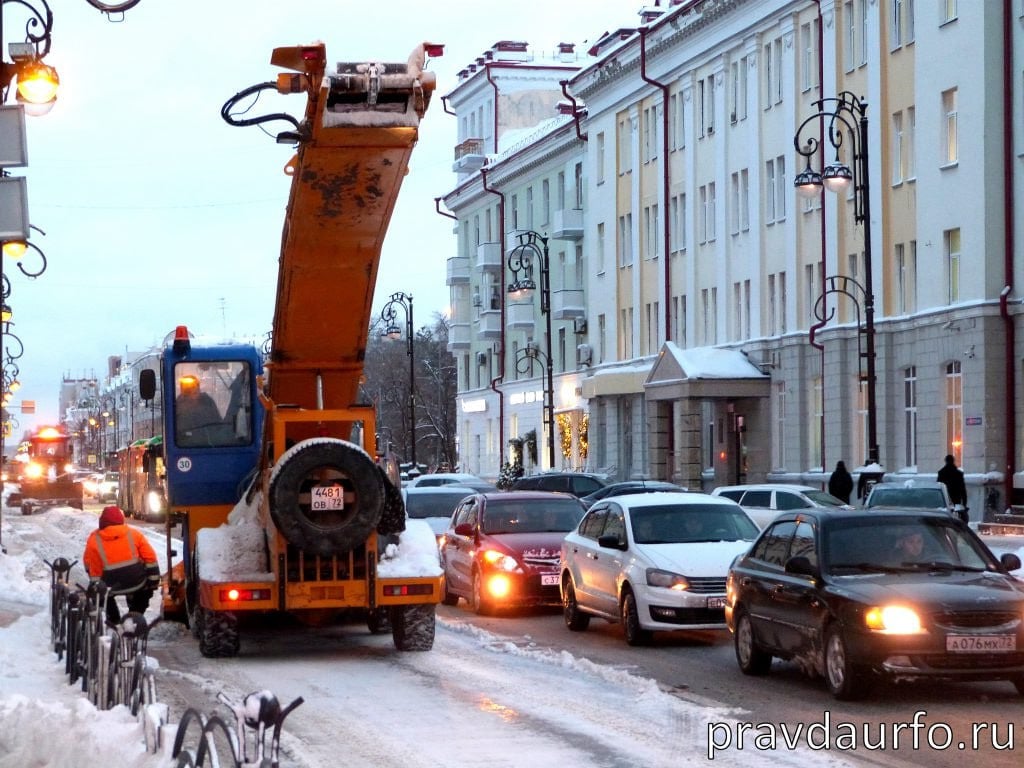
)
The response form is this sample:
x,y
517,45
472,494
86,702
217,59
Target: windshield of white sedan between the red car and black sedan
x,y
687,524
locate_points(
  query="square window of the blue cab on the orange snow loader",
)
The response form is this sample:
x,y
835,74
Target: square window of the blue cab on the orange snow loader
x,y
212,405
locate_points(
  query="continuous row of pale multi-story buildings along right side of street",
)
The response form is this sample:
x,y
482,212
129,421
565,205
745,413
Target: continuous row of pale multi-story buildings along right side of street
x,y
721,328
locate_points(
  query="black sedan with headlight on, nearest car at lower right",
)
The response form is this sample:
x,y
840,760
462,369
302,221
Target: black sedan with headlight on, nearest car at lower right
x,y
902,594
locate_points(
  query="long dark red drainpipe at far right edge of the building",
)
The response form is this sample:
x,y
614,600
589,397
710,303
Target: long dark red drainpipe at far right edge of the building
x,y
1009,161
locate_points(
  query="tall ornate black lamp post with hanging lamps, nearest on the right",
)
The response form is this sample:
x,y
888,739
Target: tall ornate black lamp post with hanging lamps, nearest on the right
x,y
845,117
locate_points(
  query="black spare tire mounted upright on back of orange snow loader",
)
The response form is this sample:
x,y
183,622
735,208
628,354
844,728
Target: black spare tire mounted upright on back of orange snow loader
x,y
333,532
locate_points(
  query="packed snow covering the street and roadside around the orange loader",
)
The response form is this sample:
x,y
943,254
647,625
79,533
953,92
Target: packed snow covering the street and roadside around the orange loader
x,y
478,699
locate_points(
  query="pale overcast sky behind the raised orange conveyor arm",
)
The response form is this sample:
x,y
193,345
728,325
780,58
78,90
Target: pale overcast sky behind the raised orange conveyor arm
x,y
158,214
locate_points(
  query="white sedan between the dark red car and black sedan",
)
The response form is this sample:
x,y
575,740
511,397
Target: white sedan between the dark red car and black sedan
x,y
653,562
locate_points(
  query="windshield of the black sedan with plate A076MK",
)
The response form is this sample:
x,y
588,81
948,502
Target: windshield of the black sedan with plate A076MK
x,y
904,543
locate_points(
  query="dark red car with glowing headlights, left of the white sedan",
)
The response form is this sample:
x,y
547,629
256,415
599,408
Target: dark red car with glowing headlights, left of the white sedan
x,y
502,549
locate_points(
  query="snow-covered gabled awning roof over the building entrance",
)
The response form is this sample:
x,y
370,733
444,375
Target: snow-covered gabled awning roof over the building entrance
x,y
705,373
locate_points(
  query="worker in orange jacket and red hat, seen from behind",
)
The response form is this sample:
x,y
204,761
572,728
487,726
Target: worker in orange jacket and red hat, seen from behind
x,y
123,558
